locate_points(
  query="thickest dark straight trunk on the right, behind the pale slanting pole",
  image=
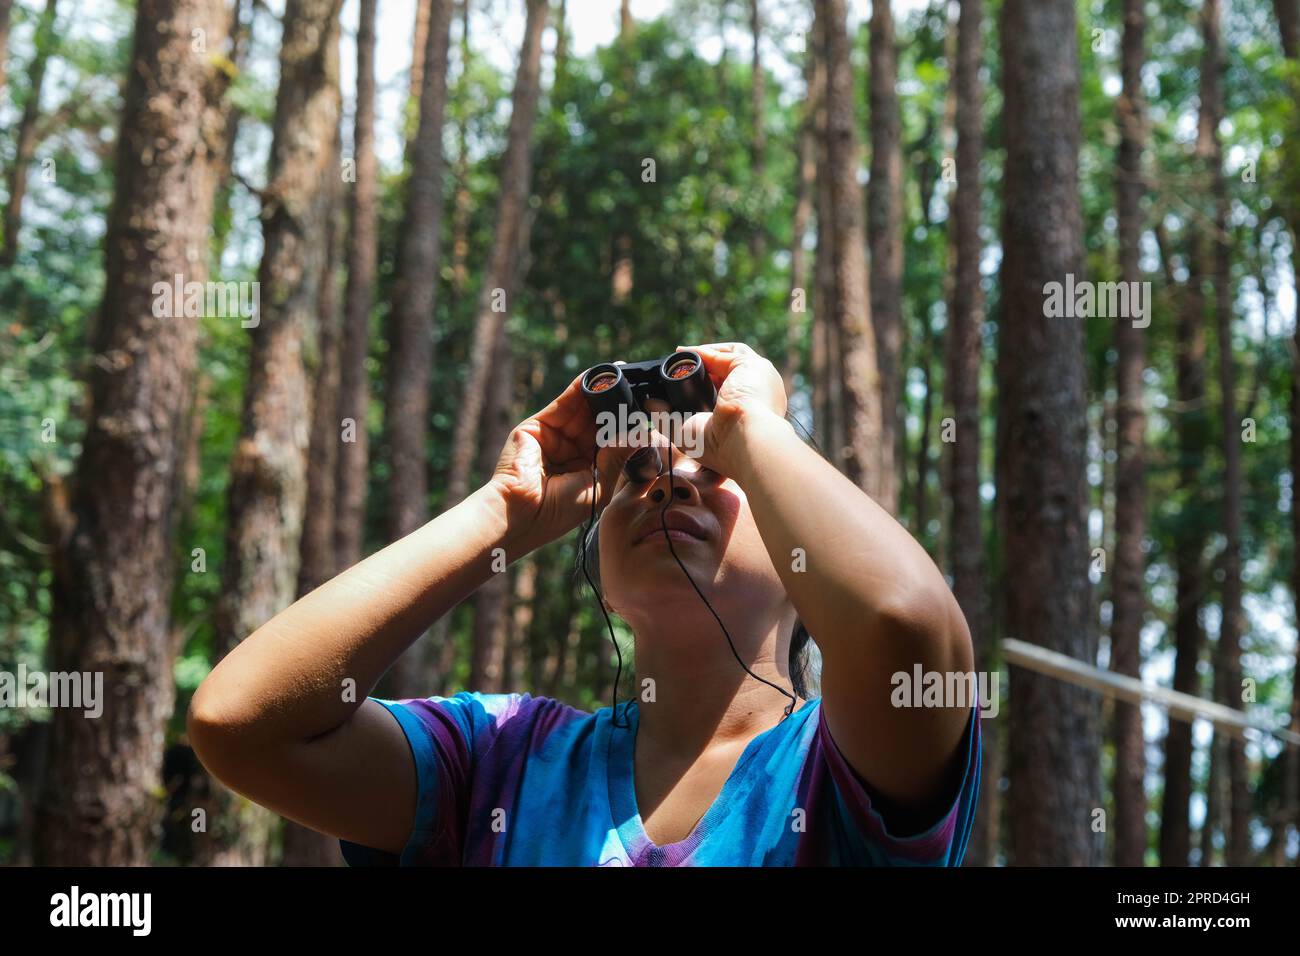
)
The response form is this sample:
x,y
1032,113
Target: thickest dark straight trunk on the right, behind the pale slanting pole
x,y
1042,418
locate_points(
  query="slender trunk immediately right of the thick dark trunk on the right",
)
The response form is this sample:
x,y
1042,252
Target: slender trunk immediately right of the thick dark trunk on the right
x,y
1128,582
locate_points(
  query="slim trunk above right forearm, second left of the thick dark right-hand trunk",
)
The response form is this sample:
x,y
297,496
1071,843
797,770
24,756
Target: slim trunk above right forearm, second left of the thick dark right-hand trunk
x,y
885,227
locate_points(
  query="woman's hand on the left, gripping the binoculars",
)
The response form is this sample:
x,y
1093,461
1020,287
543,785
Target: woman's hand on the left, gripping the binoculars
x,y
545,471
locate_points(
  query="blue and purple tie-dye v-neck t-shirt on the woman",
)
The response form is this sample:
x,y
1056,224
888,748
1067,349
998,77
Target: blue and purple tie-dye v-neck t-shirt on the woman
x,y
522,781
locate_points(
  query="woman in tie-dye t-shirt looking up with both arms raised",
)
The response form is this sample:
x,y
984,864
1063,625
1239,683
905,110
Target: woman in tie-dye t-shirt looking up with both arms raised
x,y
708,765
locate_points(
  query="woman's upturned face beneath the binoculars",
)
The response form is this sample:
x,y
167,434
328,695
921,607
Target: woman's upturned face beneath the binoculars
x,y
713,533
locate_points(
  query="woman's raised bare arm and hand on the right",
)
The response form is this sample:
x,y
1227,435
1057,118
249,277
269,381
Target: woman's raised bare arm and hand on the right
x,y
866,590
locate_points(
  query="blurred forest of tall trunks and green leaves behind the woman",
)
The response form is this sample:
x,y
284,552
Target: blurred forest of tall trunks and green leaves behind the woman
x,y
453,209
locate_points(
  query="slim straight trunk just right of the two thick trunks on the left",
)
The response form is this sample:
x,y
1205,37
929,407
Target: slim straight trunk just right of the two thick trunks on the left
x,y
354,390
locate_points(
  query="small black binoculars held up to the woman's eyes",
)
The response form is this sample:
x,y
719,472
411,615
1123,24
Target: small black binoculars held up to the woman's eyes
x,y
681,382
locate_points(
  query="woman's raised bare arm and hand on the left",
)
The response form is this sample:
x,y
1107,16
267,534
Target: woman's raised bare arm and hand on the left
x,y
284,719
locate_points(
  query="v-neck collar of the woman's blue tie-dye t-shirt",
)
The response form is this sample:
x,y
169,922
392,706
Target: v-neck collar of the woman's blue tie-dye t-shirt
x,y
626,816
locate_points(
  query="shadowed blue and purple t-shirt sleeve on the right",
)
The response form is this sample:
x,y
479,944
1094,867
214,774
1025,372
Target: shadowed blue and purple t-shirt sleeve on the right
x,y
876,836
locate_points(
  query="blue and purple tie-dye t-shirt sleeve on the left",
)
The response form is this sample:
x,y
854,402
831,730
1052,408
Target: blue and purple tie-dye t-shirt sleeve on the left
x,y
448,736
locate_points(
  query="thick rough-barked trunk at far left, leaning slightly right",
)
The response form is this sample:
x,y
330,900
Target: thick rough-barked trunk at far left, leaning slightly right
x,y
115,564
